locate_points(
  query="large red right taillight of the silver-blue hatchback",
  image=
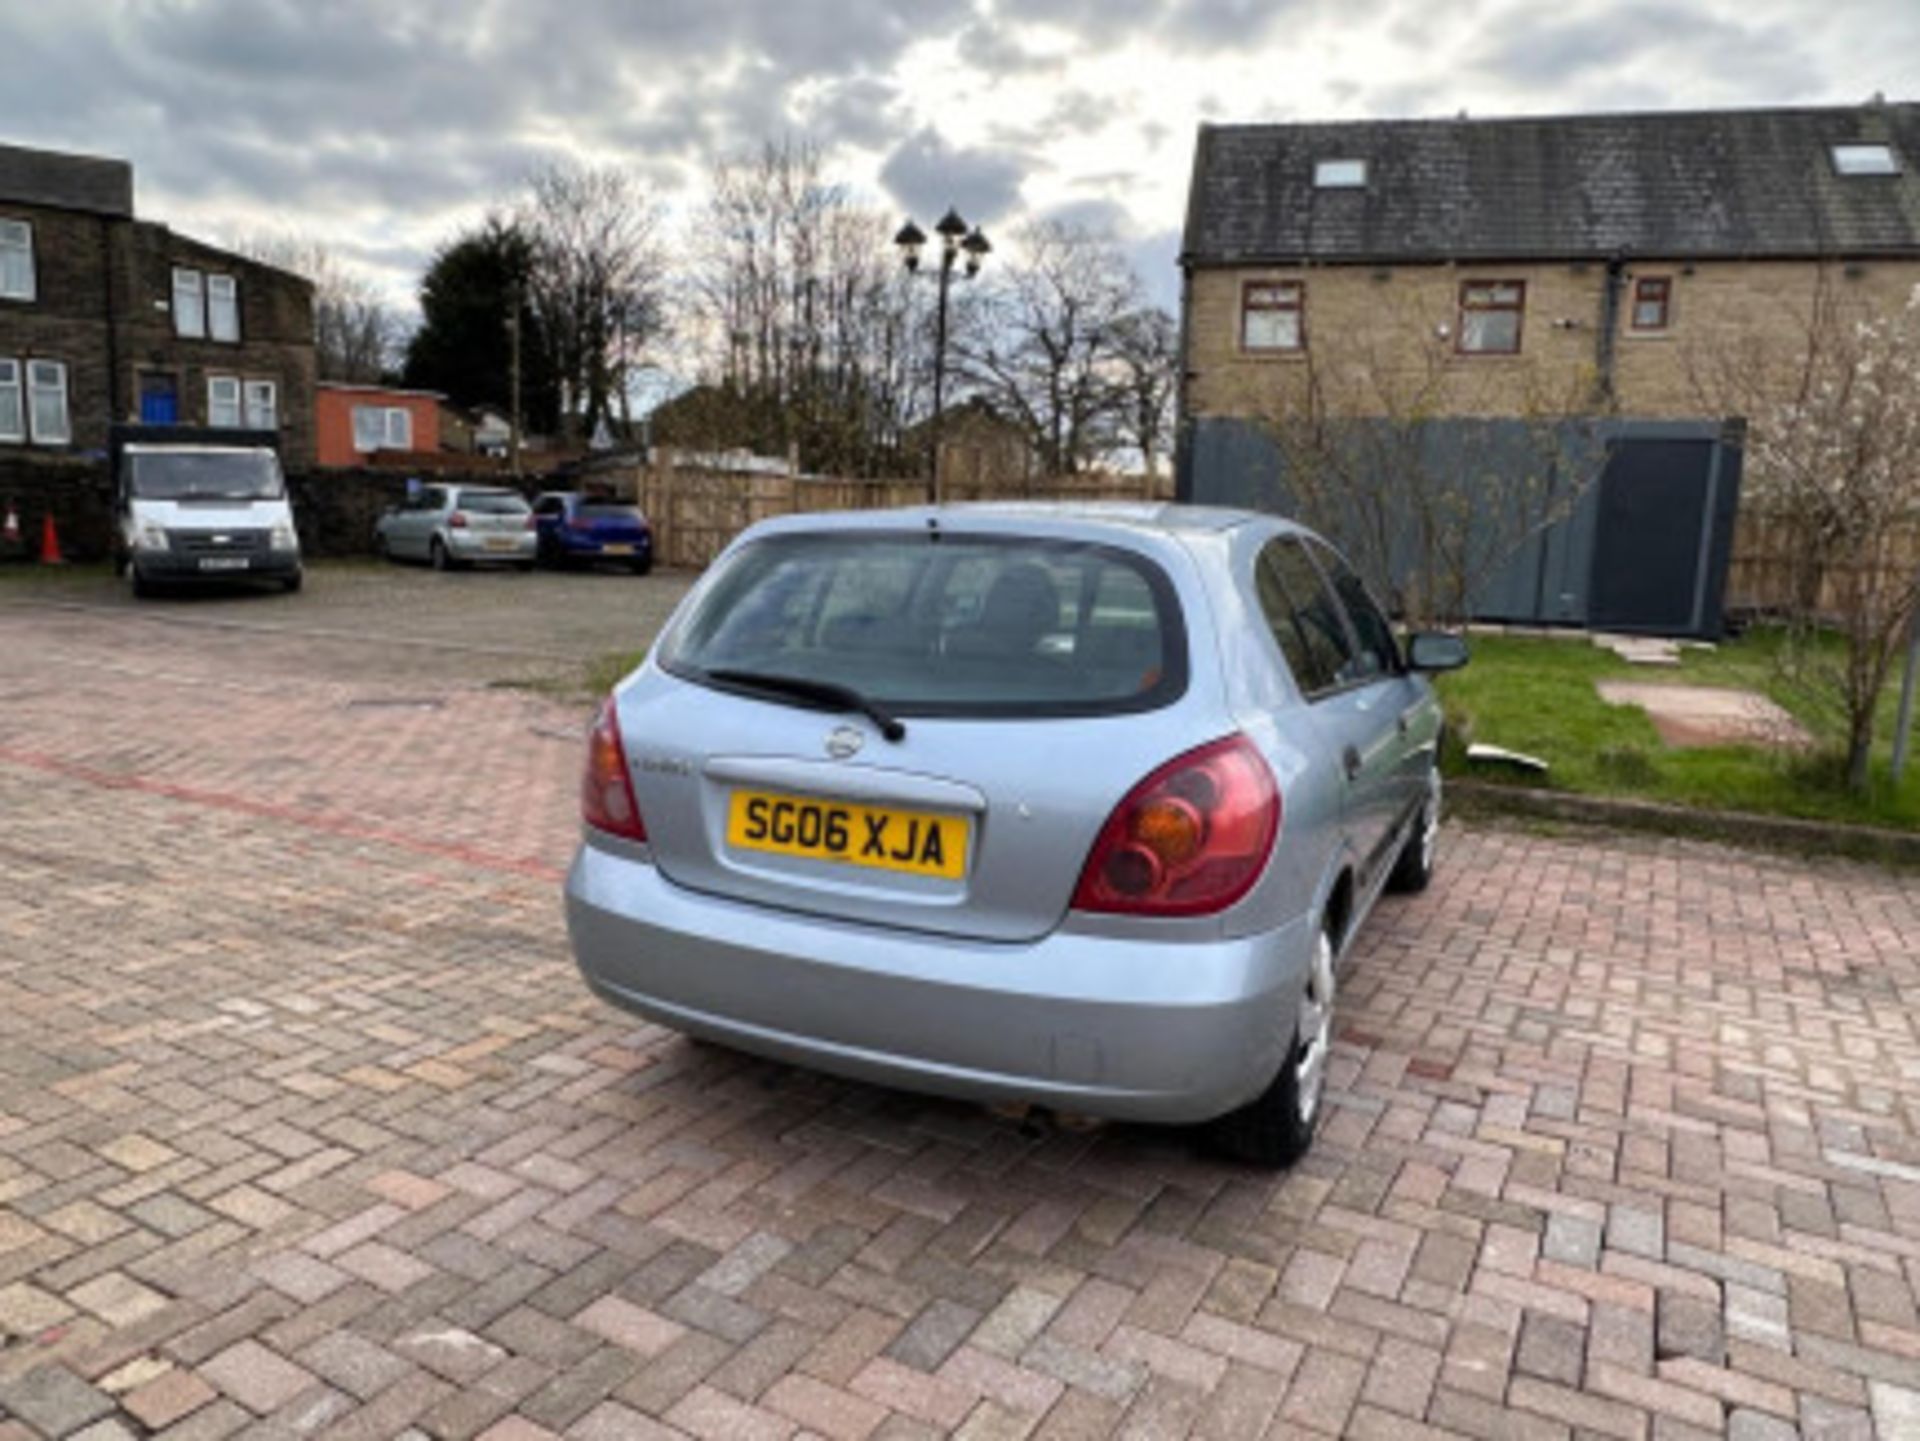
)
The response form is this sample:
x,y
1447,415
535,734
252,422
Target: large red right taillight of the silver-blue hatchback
x,y
1189,839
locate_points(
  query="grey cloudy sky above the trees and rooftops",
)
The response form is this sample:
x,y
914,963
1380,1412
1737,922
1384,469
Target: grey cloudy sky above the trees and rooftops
x,y
381,126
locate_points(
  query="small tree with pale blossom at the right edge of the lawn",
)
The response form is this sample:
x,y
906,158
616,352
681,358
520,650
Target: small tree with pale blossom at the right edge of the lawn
x,y
1835,465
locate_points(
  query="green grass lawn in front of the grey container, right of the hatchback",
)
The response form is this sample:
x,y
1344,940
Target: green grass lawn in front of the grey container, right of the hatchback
x,y
1539,697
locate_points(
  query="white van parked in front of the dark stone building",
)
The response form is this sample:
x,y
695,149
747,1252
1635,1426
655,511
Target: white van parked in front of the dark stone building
x,y
204,513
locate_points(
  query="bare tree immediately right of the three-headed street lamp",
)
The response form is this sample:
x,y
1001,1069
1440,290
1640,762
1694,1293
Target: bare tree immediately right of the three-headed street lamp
x,y
1044,343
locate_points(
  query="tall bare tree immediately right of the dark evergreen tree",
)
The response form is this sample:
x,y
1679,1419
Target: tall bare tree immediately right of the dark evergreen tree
x,y
598,281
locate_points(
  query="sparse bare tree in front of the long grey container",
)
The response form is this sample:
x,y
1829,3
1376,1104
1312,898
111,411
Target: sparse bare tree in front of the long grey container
x,y
1429,484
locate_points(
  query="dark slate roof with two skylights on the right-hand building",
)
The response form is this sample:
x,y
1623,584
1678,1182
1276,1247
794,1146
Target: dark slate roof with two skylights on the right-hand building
x,y
1702,185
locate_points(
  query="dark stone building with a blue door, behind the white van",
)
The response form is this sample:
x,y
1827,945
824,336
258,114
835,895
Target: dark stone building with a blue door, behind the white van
x,y
112,319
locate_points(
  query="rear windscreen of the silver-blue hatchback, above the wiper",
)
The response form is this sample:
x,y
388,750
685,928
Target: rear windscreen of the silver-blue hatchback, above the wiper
x,y
946,626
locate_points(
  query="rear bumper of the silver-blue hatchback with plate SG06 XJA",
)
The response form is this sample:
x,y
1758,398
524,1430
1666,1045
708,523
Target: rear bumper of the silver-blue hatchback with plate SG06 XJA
x,y
1128,1029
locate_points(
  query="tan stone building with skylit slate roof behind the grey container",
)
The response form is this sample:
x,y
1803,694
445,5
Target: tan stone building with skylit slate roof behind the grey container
x,y
1658,266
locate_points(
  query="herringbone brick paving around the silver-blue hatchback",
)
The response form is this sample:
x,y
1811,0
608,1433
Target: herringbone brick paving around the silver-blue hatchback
x,y
306,1125
